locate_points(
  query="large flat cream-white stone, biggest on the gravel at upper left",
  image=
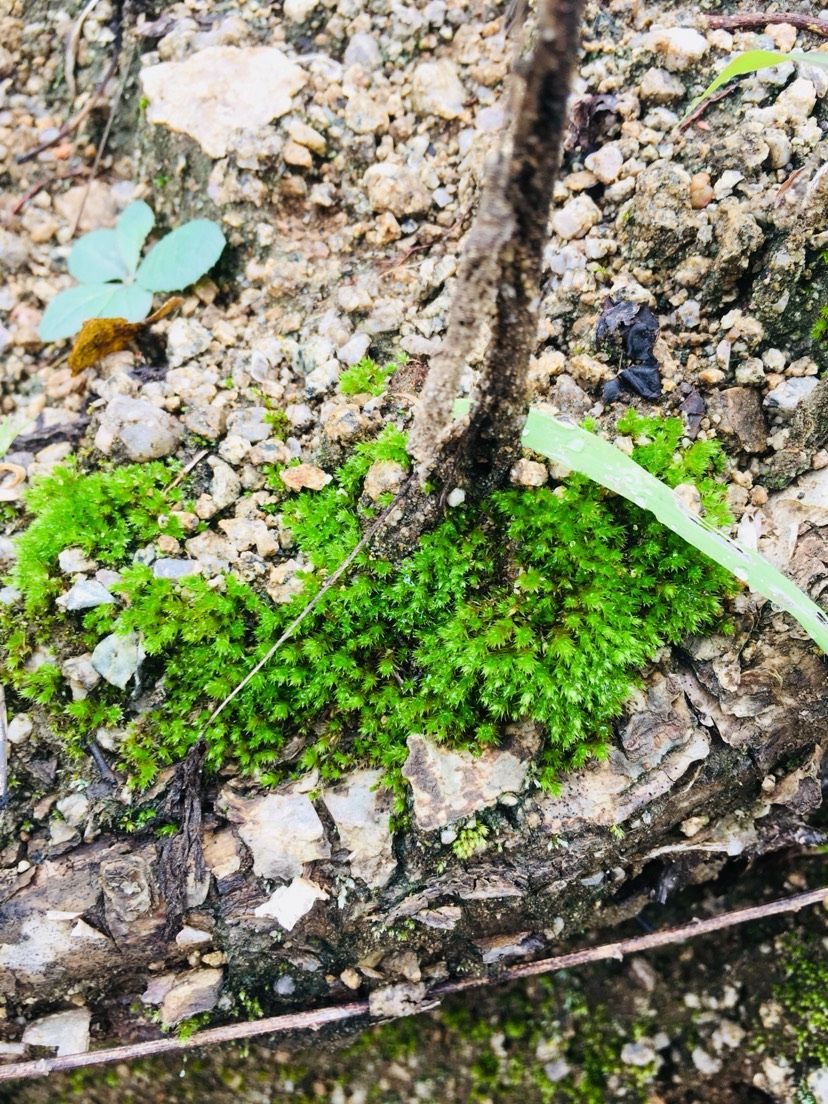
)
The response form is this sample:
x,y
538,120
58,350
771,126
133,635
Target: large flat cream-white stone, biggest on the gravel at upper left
x,y
220,91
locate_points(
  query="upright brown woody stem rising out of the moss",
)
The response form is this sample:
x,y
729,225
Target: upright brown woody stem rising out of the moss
x,y
501,274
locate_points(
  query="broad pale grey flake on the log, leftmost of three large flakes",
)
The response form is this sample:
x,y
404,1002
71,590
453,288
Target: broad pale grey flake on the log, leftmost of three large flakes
x,y
282,831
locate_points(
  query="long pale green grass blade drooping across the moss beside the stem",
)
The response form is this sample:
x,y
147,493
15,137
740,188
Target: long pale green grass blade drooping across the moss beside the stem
x,y
592,457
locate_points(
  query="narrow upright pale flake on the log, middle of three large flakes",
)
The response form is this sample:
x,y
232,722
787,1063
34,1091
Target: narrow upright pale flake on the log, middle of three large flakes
x,y
362,811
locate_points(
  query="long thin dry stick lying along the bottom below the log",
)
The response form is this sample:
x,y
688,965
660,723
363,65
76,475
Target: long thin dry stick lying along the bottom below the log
x,y
321,1017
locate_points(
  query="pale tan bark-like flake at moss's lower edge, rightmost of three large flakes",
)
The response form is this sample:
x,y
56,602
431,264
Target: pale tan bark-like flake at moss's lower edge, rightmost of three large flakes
x,y
449,785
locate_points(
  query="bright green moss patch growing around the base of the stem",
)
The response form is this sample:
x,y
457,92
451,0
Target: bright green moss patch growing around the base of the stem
x,y
540,604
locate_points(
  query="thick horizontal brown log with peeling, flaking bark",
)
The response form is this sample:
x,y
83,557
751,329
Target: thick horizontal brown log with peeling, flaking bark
x,y
89,921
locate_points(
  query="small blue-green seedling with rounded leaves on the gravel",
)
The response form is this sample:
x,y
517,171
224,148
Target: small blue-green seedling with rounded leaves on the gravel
x,y
113,283
